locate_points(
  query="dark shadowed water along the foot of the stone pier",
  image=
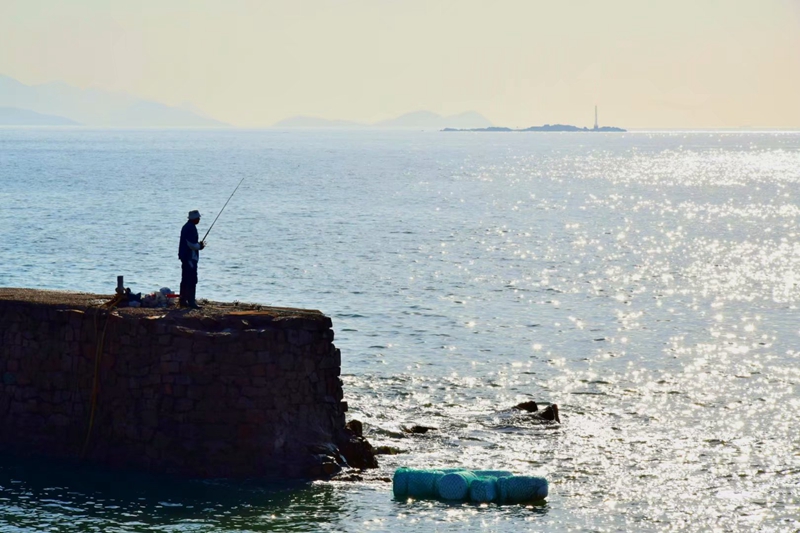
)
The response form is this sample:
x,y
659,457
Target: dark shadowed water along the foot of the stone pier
x,y
56,496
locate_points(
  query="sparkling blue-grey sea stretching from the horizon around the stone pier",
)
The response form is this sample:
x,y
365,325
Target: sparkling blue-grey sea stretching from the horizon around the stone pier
x,y
646,282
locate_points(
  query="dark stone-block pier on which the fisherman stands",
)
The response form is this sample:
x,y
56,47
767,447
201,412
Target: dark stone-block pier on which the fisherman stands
x,y
229,391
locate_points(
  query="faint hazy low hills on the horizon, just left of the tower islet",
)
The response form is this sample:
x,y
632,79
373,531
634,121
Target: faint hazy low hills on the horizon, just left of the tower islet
x,y
415,120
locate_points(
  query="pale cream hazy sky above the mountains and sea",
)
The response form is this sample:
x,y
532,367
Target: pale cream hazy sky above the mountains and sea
x,y
251,63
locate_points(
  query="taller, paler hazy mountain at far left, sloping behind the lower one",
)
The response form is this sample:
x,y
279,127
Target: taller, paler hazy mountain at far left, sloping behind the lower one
x,y
93,107
